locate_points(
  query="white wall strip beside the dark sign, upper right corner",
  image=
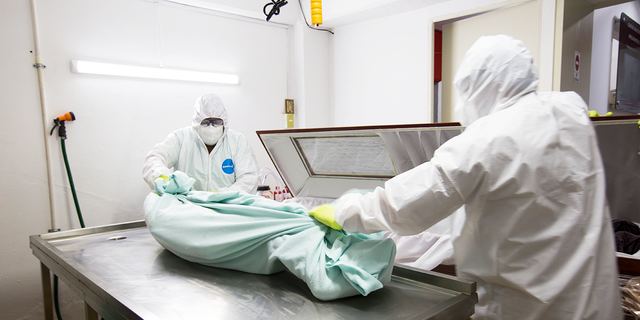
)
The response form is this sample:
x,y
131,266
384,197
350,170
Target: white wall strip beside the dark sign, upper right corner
x,y
601,51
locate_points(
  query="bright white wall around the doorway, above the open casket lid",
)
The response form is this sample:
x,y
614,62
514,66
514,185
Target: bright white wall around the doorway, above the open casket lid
x,y
382,68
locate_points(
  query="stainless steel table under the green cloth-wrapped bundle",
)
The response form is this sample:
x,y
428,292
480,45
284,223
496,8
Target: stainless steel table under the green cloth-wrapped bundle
x,y
121,272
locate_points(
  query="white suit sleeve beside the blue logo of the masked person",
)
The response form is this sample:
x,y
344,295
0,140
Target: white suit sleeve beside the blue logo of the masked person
x,y
246,168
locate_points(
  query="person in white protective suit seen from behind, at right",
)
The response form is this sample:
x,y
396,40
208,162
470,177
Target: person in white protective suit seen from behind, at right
x,y
537,237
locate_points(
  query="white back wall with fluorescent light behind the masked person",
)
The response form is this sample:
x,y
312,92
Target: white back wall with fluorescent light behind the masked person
x,y
120,119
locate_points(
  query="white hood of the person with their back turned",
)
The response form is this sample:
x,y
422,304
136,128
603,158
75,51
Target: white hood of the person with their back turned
x,y
494,73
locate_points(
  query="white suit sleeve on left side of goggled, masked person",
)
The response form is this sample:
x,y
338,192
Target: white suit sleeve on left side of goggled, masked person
x,y
161,159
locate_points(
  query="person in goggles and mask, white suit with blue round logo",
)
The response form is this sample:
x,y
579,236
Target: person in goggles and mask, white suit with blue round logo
x,y
218,158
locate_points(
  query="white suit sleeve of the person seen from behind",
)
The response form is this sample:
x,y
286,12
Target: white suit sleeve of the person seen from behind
x,y
417,199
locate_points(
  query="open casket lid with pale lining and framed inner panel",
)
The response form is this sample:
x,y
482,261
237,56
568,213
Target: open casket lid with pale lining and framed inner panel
x,y
326,162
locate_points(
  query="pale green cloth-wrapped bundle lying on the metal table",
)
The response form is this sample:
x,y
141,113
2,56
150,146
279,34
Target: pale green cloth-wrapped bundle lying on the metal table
x,y
235,230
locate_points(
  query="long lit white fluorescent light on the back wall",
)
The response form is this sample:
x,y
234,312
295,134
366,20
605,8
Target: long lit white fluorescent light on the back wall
x,y
79,66
